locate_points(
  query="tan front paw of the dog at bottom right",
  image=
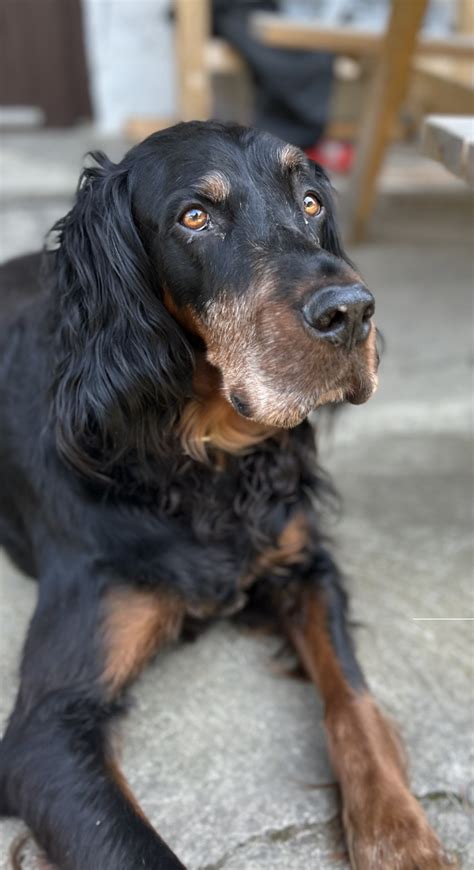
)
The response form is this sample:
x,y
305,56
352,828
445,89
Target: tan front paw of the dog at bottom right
x,y
396,836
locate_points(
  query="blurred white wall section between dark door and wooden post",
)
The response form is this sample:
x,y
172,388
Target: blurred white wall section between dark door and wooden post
x,y
130,53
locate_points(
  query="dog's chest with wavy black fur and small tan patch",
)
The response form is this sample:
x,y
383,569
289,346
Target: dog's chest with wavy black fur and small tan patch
x,y
227,524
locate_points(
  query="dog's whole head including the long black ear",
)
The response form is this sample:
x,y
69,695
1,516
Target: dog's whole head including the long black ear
x,y
213,243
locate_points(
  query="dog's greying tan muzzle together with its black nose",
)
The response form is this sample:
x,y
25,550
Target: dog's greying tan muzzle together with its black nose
x,y
275,367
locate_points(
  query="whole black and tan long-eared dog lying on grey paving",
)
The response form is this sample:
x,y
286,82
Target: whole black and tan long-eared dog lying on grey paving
x,y
157,466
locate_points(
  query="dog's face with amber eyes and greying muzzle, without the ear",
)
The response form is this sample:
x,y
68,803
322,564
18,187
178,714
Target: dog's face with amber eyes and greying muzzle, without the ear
x,y
241,232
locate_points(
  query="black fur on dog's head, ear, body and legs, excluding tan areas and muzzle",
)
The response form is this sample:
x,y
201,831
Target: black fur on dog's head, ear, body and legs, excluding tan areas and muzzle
x,y
97,492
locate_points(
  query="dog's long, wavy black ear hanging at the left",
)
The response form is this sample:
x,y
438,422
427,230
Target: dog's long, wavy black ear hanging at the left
x,y
123,365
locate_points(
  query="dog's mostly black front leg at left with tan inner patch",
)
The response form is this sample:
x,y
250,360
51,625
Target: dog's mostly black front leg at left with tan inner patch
x,y
57,770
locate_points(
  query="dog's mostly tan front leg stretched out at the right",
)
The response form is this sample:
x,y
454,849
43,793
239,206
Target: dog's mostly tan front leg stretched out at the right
x,y
385,826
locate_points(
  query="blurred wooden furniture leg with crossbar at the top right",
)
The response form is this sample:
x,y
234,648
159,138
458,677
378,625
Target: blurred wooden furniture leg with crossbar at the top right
x,y
395,52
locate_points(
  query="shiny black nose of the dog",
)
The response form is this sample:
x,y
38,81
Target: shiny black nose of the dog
x,y
341,315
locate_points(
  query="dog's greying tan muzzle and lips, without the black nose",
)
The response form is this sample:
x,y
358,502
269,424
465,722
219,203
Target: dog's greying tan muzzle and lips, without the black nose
x,y
273,372
